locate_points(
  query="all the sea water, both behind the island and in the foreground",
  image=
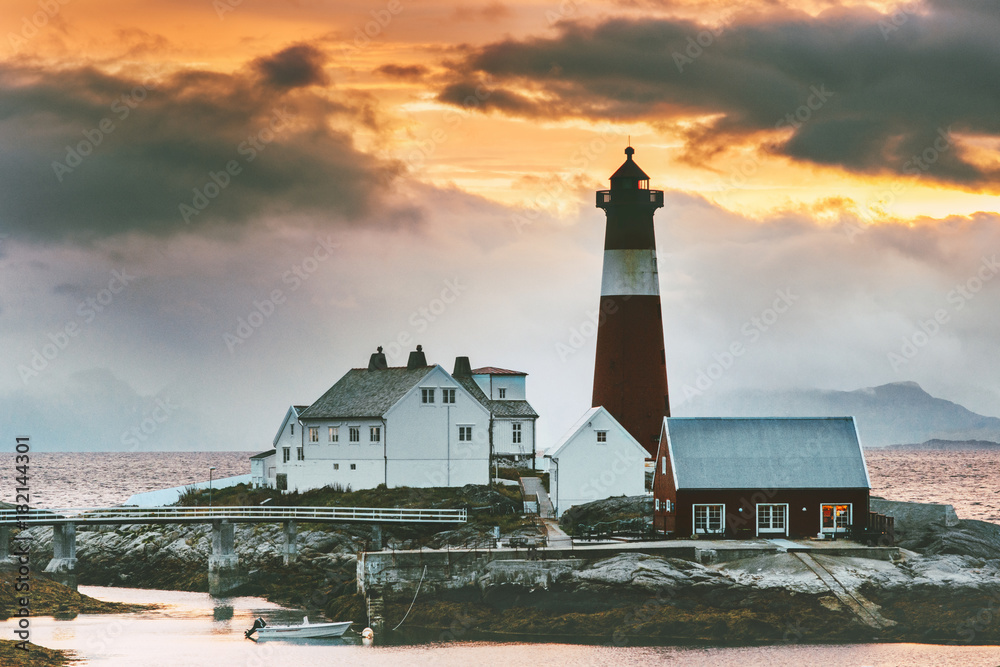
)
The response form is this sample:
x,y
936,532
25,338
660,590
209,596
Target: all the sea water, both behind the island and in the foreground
x,y
193,629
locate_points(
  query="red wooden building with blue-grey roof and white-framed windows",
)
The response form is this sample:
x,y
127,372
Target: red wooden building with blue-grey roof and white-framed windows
x,y
770,477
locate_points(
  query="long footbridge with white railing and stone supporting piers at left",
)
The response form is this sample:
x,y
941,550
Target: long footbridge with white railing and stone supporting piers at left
x,y
223,573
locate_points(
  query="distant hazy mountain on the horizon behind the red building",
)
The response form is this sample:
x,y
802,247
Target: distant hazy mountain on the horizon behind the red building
x,y
901,412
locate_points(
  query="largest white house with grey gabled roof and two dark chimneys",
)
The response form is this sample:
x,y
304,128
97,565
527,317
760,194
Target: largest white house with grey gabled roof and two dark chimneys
x,y
405,426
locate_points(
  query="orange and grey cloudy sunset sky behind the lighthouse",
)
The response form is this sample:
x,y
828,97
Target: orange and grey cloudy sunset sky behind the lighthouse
x,y
212,209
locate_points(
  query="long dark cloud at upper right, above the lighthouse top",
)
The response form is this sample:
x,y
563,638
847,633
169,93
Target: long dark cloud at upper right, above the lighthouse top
x,y
859,89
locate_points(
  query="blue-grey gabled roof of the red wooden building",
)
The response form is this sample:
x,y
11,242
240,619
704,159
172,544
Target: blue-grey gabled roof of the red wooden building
x,y
774,453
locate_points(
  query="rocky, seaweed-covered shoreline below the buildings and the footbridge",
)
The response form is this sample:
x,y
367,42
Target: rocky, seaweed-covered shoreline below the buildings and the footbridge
x,y
945,587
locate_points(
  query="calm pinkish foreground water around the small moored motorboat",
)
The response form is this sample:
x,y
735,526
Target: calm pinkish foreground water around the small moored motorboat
x,y
193,629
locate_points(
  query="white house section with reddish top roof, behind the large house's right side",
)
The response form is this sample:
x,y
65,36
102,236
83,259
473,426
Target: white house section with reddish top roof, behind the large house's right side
x,y
503,393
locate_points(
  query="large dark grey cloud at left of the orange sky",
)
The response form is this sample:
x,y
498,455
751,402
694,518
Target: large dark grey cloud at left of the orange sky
x,y
88,155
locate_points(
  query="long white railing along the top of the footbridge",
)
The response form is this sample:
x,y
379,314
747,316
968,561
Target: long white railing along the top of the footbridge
x,y
97,515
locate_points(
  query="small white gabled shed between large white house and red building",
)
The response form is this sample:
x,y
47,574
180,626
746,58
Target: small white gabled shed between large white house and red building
x,y
596,459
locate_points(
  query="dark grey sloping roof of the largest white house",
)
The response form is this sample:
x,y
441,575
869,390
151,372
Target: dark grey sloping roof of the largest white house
x,y
364,393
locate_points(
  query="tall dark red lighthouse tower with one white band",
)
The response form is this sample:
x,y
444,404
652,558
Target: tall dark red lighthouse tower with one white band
x,y
630,372
